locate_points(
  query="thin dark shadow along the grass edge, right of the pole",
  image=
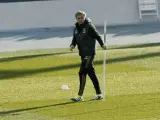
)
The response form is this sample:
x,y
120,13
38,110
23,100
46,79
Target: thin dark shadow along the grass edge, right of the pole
x,y
137,46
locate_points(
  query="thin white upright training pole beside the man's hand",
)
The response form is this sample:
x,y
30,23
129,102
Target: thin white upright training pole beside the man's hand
x,y
104,62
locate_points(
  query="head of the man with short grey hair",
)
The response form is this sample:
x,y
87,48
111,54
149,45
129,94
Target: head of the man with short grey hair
x,y
80,17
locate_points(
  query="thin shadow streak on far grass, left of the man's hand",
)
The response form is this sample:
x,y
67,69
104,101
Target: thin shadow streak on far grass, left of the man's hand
x,y
8,59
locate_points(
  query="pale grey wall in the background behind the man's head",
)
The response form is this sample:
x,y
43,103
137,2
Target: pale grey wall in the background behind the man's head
x,y
60,13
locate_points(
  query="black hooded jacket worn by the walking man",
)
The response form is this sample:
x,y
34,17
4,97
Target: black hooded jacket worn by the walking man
x,y
85,36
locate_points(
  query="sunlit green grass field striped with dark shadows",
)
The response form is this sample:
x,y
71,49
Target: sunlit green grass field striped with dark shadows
x,y
30,84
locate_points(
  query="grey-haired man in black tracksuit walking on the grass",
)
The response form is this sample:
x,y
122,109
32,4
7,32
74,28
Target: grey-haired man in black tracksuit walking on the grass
x,y
85,36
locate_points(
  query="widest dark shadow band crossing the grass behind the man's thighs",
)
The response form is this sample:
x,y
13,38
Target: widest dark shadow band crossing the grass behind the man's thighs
x,y
6,74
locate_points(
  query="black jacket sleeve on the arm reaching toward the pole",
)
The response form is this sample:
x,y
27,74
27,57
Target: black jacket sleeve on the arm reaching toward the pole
x,y
95,34
